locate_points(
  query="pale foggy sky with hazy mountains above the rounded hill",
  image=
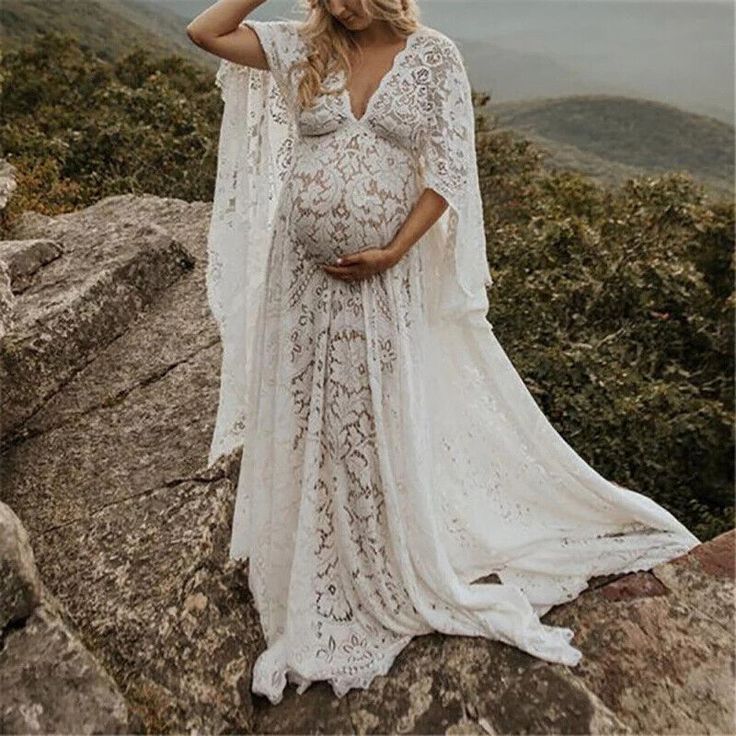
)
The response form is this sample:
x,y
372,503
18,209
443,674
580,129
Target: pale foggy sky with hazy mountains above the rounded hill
x,y
679,53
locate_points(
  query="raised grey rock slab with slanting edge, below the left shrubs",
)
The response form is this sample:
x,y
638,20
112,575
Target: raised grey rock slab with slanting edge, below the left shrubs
x,y
75,304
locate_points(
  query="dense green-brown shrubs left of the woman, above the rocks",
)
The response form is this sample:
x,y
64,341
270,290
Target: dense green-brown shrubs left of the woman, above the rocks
x,y
80,128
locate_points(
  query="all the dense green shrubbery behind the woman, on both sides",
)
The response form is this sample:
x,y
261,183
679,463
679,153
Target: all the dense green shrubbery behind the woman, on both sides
x,y
615,305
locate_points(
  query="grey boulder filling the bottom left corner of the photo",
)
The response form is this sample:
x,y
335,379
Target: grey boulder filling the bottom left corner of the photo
x,y
49,681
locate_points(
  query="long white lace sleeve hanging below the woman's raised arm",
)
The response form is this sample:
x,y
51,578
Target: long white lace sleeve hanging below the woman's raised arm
x,y
257,134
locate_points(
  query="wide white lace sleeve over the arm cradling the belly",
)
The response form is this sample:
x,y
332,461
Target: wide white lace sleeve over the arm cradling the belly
x,y
458,258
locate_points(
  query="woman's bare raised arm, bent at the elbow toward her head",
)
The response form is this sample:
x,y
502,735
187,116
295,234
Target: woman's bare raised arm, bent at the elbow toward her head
x,y
218,31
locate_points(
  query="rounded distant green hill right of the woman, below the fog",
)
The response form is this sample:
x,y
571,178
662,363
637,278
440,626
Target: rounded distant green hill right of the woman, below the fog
x,y
611,138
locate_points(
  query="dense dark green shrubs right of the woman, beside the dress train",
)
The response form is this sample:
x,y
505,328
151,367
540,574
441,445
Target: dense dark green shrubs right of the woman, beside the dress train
x,y
616,307
